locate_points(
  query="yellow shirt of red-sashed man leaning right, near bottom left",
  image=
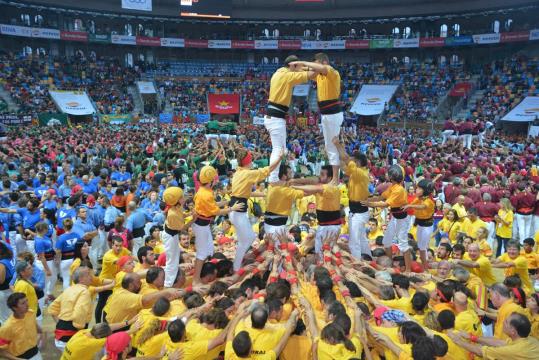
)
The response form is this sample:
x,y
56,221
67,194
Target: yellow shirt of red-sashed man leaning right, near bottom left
x,y
74,304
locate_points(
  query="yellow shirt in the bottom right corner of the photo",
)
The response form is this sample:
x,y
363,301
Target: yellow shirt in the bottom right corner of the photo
x,y
521,349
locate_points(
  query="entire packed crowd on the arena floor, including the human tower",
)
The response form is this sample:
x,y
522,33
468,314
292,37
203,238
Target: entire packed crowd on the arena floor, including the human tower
x,y
238,242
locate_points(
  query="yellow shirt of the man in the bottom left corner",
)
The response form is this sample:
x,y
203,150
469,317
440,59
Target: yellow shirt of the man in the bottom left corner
x,y
19,335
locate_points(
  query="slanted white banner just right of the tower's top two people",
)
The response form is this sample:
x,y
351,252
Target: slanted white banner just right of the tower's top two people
x,y
372,99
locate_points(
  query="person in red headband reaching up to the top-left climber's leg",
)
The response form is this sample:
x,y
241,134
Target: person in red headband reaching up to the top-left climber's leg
x,y
242,185
